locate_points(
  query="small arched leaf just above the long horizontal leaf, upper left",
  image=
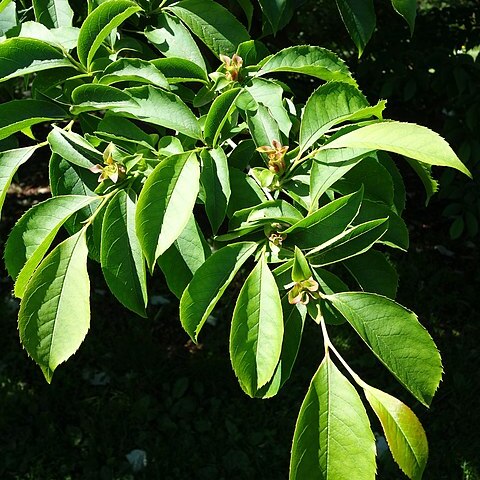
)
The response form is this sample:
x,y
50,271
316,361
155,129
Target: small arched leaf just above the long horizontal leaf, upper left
x,y
133,70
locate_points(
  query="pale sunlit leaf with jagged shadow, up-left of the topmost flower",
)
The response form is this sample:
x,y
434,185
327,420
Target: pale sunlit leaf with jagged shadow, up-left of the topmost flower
x,y
173,40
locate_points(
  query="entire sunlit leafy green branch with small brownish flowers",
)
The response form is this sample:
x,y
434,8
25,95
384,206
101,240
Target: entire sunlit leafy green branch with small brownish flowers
x,y
306,198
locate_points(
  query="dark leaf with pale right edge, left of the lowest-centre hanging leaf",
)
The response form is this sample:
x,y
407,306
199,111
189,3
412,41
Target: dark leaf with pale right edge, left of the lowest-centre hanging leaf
x,y
209,283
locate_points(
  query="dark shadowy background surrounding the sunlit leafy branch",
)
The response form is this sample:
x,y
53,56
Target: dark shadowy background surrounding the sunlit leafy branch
x,y
140,384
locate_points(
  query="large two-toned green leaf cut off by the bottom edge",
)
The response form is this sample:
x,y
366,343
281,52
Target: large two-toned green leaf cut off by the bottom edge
x,y
332,437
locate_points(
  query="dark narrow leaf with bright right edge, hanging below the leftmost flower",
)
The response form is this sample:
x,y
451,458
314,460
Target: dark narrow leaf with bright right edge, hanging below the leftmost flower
x,y
121,257
